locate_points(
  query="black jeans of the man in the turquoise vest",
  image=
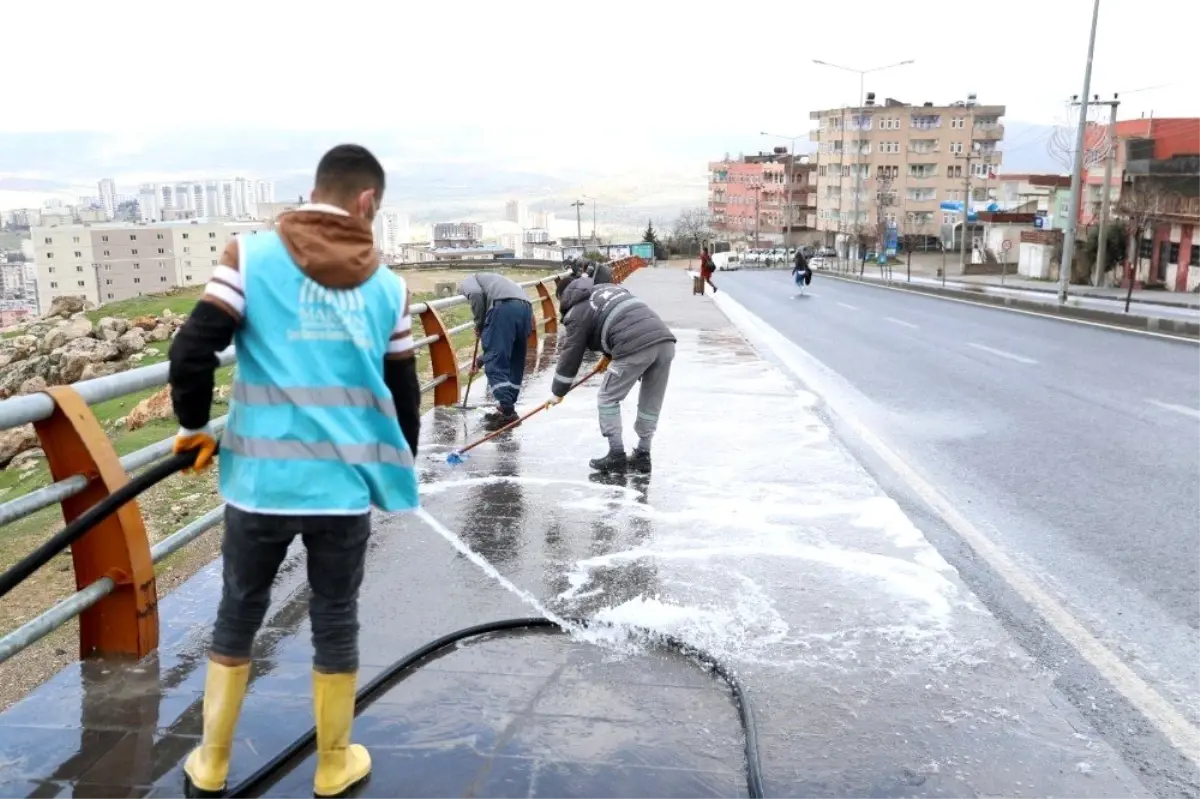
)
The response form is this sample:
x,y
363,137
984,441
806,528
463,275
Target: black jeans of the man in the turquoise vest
x,y
254,548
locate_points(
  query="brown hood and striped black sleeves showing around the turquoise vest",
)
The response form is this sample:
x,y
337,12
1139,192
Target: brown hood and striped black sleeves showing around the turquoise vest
x,y
334,250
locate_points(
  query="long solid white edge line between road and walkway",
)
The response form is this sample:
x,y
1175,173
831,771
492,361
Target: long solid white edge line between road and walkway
x,y
1183,735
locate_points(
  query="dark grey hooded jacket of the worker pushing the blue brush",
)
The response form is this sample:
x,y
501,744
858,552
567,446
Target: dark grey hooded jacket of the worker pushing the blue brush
x,y
605,319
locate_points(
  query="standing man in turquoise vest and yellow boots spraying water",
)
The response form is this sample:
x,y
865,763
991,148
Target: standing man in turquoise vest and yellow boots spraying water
x,y
325,424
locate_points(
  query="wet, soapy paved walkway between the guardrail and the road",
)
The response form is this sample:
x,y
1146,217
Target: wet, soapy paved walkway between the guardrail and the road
x,y
873,670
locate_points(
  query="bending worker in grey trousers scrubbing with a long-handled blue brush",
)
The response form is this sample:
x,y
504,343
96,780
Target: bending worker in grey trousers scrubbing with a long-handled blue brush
x,y
608,319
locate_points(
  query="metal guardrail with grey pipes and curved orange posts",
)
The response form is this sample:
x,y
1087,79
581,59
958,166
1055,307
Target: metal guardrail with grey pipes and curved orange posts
x,y
115,563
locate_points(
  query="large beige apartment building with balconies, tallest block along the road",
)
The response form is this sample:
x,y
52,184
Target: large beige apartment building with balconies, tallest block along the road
x,y
897,164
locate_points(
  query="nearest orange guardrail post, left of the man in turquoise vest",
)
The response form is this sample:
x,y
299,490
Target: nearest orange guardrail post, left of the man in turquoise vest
x,y
125,622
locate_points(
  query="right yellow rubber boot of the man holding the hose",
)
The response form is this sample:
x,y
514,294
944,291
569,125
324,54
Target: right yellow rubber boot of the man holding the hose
x,y
341,766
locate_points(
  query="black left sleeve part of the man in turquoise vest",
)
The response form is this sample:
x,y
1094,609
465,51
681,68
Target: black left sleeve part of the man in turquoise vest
x,y
194,363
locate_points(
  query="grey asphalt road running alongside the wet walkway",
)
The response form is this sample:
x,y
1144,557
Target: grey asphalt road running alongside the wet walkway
x,y
1075,448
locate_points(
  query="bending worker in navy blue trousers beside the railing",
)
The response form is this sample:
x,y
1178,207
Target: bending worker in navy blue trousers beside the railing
x,y
503,323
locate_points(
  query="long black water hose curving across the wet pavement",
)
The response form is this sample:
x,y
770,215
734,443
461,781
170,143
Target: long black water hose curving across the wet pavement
x,y
278,766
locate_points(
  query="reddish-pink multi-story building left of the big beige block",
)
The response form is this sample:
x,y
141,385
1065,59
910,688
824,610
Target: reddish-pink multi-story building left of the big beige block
x,y
764,199
